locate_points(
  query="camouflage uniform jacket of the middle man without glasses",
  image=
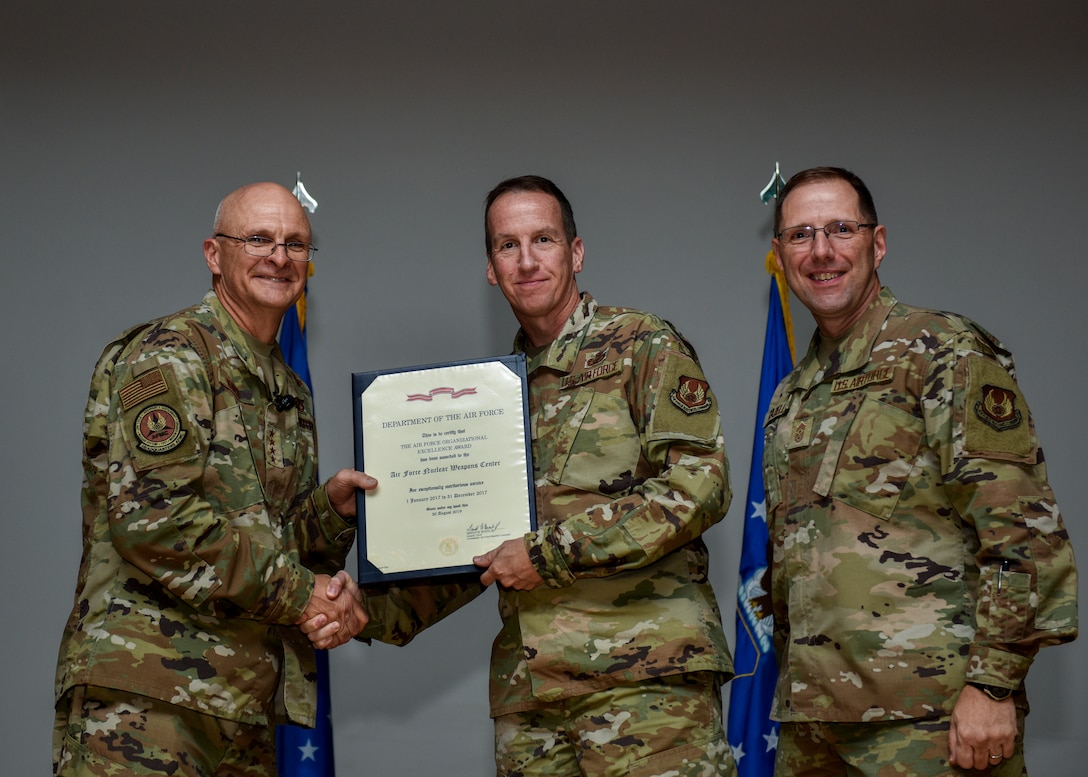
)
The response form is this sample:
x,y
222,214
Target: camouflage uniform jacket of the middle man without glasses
x,y
630,471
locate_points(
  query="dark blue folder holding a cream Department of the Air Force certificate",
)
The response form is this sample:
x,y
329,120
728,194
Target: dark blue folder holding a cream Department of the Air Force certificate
x,y
452,450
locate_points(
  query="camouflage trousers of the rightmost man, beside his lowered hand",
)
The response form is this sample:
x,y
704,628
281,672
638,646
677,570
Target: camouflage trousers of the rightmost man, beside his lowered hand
x,y
918,748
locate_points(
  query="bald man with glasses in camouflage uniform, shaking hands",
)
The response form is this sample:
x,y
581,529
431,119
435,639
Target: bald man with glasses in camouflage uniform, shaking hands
x,y
206,538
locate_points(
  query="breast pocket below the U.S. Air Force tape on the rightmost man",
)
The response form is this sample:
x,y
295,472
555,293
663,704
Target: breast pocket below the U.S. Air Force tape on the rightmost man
x,y
877,458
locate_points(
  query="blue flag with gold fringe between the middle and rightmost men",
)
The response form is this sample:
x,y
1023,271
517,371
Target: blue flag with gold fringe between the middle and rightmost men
x,y
752,735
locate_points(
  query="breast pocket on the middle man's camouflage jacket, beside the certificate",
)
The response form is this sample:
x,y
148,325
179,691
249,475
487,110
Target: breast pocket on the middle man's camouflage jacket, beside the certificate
x,y
597,445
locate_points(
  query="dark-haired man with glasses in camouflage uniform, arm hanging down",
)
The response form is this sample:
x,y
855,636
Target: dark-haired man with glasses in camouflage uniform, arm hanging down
x,y
920,559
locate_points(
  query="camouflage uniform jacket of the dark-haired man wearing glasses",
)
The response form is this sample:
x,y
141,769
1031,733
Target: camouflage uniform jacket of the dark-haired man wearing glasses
x,y
916,540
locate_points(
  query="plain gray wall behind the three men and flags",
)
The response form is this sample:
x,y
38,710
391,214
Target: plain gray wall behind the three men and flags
x,y
123,124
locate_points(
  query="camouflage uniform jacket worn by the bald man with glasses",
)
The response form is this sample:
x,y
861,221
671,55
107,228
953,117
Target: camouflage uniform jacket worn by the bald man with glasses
x,y
203,526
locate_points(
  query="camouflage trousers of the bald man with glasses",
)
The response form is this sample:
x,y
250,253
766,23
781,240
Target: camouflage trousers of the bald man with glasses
x,y
103,733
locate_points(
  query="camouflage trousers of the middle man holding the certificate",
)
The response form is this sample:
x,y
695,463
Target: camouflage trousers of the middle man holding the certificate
x,y
670,726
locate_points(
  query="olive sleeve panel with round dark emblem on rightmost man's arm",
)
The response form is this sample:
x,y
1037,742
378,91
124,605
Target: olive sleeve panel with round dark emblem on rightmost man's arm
x,y
997,420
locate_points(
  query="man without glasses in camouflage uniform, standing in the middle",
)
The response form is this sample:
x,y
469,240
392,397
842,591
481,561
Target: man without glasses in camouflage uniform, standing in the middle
x,y
612,652
